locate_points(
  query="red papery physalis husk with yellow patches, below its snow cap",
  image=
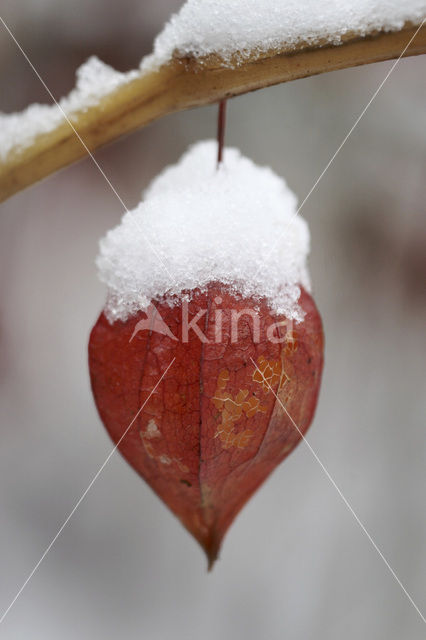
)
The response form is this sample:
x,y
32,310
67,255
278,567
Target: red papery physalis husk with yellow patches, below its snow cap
x,y
213,430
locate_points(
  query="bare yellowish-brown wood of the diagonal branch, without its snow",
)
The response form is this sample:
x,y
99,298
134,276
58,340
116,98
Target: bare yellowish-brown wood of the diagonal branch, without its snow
x,y
184,83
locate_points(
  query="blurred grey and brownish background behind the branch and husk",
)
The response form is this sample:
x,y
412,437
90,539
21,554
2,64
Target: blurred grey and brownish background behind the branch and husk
x,y
296,564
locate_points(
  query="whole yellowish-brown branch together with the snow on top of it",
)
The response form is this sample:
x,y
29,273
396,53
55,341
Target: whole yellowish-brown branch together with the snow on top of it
x,y
206,52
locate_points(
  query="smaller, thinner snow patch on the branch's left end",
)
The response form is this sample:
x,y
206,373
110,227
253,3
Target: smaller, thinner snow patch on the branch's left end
x,y
94,80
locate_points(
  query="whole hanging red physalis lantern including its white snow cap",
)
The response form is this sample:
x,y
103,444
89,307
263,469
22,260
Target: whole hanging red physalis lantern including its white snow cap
x,y
206,360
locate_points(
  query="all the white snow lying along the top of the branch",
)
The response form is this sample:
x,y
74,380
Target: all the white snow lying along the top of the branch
x,y
226,27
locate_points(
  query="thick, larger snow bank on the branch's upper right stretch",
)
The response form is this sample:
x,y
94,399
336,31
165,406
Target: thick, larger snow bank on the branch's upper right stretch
x,y
203,27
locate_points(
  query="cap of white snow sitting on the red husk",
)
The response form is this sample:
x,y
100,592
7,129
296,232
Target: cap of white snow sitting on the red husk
x,y
237,225
